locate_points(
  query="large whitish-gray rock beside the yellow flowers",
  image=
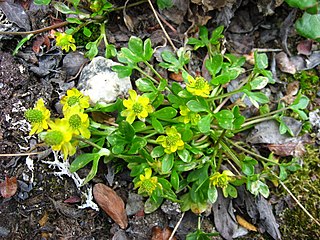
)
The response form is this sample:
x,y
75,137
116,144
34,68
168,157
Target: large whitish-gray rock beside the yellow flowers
x,y
100,83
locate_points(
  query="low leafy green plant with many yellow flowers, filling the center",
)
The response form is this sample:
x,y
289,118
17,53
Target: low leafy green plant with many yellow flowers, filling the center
x,y
178,140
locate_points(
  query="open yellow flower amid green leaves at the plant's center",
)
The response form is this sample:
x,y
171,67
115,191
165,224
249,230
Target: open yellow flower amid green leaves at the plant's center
x,y
172,142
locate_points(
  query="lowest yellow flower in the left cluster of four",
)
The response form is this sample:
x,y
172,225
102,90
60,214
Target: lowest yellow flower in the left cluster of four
x,y
59,137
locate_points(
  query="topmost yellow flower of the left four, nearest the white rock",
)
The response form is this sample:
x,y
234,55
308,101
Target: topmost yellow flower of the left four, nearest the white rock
x,y
74,98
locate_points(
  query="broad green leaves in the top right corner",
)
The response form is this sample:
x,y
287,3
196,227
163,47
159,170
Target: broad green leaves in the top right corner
x,y
309,24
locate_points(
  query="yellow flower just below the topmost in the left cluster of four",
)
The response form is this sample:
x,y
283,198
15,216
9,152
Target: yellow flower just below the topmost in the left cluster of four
x,y
78,121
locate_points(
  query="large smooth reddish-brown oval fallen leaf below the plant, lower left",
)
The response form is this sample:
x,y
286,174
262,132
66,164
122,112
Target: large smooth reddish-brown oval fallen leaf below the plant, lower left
x,y
111,203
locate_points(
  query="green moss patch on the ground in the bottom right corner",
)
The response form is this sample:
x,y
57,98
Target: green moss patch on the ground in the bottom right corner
x,y
305,185
